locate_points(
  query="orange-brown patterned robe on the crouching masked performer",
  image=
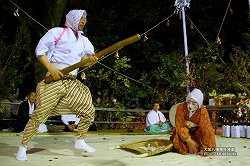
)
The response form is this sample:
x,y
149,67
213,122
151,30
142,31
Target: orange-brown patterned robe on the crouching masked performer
x,y
203,134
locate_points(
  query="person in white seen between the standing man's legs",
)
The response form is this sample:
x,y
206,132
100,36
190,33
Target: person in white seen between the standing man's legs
x,y
70,121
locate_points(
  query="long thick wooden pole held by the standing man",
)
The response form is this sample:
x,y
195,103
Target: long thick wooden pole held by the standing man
x,y
100,54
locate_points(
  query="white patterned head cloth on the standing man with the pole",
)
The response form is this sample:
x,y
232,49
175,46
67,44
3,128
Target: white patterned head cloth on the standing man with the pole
x,y
73,18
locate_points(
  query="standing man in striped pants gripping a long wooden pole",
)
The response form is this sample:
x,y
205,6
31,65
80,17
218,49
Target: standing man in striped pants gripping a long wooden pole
x,y
57,49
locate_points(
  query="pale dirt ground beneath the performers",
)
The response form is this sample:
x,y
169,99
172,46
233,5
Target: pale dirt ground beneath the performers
x,y
51,149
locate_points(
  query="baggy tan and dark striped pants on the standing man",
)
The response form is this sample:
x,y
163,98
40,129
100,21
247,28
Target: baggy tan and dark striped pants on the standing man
x,y
61,97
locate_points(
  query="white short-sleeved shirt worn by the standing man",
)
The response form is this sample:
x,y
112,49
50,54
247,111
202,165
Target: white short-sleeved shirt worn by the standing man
x,y
68,50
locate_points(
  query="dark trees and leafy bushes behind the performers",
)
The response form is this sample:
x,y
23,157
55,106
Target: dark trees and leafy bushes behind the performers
x,y
145,71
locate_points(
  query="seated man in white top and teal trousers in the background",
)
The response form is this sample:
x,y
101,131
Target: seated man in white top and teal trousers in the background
x,y
156,121
